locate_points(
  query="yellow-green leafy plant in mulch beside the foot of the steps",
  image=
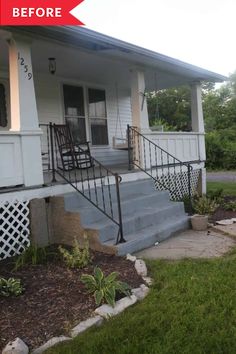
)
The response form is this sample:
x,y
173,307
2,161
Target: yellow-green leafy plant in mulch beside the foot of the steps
x,y
78,257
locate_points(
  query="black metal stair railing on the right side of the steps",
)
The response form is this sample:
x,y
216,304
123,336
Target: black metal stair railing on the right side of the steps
x,y
158,163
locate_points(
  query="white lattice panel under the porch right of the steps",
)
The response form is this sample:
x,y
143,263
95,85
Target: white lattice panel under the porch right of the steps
x,y
177,183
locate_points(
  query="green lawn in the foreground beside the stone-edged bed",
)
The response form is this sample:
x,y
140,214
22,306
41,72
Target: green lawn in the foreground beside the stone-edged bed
x,y
191,309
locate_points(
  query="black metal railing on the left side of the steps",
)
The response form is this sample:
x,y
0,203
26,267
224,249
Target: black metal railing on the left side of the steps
x,y
98,184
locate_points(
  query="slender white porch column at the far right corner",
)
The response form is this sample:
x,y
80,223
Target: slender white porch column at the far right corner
x,y
198,126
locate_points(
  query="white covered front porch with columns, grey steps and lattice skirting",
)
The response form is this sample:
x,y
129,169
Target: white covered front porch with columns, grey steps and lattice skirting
x,y
97,85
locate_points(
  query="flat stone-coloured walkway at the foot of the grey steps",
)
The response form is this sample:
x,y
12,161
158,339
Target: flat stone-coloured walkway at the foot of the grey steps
x,y
190,244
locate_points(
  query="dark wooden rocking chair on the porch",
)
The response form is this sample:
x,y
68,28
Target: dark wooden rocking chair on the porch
x,y
72,155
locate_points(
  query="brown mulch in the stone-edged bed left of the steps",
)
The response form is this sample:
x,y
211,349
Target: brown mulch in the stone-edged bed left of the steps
x,y
55,299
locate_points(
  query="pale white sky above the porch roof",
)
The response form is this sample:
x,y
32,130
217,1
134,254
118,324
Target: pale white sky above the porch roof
x,y
200,32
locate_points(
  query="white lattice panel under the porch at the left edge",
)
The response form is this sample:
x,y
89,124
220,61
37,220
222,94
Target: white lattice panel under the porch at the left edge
x,y
14,228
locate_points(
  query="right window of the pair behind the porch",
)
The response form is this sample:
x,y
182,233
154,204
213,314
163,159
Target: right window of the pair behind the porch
x,y
97,116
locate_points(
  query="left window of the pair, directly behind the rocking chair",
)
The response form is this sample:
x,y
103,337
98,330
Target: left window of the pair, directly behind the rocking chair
x,y
74,112
